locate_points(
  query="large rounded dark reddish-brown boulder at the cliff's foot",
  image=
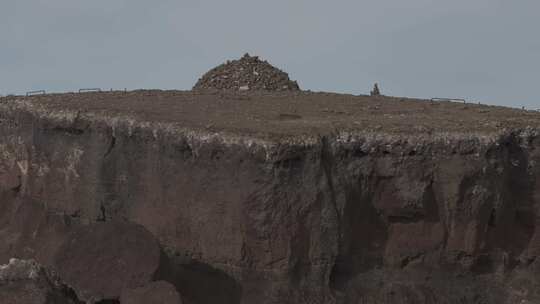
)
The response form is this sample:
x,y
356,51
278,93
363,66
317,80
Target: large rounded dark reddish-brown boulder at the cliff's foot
x,y
101,259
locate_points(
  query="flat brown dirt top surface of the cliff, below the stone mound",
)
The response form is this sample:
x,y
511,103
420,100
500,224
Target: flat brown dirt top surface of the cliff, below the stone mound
x,y
292,113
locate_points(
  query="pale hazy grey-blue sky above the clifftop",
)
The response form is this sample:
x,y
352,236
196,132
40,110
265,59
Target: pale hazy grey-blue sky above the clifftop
x,y
482,50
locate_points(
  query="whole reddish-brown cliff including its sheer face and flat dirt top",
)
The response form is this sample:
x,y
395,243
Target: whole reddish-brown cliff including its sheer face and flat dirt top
x,y
256,197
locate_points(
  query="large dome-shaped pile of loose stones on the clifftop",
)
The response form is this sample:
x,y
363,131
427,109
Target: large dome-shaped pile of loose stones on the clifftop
x,y
246,73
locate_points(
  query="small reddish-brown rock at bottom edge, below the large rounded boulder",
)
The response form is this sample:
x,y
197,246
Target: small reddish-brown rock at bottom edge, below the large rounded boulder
x,y
159,292
